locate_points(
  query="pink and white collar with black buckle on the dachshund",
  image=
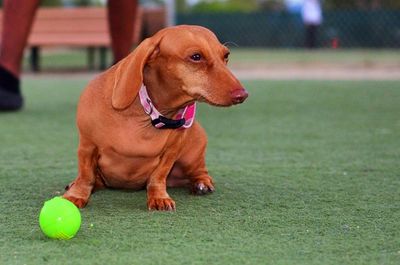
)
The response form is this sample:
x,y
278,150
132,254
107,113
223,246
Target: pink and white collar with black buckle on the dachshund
x,y
185,116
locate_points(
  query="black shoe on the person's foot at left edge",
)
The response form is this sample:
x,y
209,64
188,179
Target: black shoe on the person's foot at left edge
x,y
10,93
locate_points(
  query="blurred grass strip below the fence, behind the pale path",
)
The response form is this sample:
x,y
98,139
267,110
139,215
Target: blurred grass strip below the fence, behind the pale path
x,y
73,59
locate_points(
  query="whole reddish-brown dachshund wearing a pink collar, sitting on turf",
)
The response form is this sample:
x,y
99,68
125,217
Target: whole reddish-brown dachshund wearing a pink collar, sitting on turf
x,y
135,120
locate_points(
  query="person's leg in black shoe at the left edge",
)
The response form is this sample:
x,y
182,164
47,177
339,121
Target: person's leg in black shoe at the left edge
x,y
17,21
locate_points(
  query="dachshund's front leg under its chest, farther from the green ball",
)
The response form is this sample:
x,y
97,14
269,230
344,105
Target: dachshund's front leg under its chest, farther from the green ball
x,y
157,196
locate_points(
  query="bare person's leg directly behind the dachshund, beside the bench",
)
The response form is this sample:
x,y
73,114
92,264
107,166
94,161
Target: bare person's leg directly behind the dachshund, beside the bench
x,y
121,19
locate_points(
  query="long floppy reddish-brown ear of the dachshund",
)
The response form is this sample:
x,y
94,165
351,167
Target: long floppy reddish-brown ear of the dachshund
x,y
129,74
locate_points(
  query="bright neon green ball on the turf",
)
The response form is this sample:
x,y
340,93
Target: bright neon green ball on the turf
x,y
59,218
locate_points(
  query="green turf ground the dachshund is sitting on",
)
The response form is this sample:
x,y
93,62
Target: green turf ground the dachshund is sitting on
x,y
307,172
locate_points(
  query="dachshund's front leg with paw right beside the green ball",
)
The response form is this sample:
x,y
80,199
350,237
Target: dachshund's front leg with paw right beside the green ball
x,y
80,189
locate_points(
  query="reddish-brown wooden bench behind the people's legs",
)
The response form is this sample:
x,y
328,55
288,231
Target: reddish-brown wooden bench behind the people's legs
x,y
74,27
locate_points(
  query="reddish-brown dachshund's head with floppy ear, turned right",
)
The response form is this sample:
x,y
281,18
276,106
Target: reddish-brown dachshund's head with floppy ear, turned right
x,y
188,60
